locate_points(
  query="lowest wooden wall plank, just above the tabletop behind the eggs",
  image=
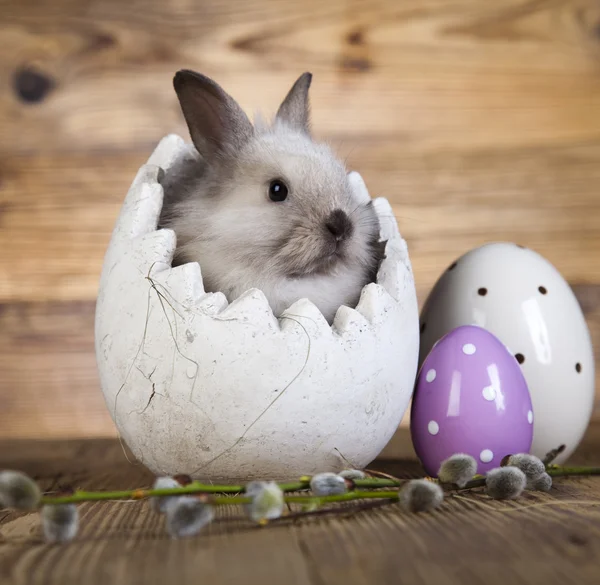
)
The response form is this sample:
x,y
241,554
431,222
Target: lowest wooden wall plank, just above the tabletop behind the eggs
x,y
49,385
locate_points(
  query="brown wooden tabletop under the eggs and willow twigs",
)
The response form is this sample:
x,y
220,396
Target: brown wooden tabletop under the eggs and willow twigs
x,y
543,539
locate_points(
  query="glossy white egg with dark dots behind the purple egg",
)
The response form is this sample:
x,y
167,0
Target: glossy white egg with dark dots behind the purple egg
x,y
521,298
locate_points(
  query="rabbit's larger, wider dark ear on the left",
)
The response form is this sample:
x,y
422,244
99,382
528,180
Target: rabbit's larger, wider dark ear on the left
x,y
217,124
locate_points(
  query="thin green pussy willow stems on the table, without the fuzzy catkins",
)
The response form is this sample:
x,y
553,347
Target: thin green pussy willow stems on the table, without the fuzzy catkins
x,y
303,484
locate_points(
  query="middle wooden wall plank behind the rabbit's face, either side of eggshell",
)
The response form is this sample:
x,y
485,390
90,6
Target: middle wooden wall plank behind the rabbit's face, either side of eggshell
x,y
58,211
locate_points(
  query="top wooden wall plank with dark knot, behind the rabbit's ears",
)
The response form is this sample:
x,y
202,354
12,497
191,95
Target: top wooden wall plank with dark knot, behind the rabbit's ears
x,y
513,73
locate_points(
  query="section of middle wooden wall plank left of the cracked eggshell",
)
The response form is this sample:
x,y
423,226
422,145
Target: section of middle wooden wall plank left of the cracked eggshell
x,y
56,217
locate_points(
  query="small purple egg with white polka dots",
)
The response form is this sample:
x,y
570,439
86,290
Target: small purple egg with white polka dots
x,y
470,397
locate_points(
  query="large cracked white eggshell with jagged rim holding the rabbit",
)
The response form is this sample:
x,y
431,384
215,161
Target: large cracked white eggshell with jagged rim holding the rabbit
x,y
227,391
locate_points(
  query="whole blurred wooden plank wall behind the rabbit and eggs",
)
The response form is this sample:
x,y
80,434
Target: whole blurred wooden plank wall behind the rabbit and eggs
x,y
480,121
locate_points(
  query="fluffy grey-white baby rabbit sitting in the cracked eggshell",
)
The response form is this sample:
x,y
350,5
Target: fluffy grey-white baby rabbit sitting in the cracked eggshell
x,y
265,206
